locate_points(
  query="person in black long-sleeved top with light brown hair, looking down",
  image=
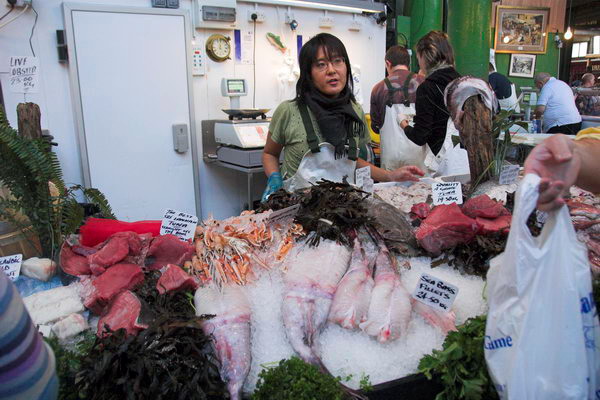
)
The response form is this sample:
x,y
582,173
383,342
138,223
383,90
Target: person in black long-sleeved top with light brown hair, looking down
x,y
436,58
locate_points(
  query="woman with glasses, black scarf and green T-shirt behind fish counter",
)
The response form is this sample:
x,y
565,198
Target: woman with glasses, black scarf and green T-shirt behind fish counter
x,y
322,130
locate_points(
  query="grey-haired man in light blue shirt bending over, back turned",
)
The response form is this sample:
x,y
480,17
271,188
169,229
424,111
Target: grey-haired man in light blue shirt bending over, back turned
x,y
557,104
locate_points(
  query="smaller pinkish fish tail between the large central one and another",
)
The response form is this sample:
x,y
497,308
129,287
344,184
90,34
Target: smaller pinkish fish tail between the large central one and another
x,y
352,297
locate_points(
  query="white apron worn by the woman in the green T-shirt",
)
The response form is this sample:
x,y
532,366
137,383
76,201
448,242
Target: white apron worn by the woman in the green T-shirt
x,y
321,165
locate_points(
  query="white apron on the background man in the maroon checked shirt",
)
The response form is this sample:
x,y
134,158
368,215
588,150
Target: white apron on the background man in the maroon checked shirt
x,y
397,150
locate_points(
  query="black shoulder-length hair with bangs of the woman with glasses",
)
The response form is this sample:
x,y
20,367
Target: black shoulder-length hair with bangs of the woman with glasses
x,y
333,47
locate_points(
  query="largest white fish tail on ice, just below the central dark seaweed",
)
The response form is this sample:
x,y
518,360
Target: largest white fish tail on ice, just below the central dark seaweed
x,y
310,282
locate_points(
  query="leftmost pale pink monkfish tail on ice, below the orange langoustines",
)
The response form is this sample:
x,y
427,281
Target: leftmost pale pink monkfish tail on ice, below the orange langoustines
x,y
231,331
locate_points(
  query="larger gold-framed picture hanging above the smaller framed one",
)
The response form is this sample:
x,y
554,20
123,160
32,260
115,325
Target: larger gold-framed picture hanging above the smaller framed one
x,y
521,29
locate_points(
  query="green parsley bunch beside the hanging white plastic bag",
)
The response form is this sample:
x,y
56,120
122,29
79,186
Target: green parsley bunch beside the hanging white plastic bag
x,y
460,365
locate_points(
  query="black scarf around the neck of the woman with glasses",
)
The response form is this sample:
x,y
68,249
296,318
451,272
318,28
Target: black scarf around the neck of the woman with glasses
x,y
337,121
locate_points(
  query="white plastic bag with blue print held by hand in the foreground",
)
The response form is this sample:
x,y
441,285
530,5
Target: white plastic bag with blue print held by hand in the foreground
x,y
542,332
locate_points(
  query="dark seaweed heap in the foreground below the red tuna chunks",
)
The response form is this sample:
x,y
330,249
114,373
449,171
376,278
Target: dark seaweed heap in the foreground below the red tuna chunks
x,y
171,359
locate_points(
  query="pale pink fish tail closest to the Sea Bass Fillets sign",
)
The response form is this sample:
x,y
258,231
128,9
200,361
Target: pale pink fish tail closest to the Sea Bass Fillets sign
x,y
390,306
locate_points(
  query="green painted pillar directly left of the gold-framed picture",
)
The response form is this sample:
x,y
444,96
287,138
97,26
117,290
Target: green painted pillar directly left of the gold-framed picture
x,y
470,36
